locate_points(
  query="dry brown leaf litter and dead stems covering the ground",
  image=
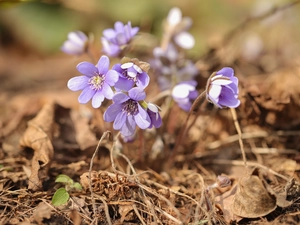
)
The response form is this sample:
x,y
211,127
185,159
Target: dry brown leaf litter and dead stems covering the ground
x,y
125,183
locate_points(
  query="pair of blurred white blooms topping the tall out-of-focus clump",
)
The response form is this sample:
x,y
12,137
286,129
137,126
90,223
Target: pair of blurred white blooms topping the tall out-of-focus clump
x,y
177,27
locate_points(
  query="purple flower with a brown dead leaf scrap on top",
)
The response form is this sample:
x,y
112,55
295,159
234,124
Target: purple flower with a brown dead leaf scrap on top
x,y
132,72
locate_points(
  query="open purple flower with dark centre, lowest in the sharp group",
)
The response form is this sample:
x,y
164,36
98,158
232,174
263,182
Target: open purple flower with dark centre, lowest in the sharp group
x,y
126,112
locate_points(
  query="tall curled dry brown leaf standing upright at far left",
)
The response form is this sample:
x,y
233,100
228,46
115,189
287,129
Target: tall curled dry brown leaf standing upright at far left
x,y
38,136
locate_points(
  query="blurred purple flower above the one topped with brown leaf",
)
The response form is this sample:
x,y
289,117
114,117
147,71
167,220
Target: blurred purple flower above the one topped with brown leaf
x,y
115,39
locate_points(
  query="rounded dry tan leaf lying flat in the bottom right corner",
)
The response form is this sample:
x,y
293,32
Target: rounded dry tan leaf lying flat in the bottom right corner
x,y
252,199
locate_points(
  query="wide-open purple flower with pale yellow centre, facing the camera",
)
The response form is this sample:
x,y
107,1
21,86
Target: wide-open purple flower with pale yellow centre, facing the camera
x,y
96,82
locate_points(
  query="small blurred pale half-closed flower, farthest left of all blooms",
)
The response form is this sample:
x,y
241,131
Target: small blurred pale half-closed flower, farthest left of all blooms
x,y
76,44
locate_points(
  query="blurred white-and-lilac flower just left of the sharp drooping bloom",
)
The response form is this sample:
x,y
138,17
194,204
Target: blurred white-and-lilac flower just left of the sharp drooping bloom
x,y
184,93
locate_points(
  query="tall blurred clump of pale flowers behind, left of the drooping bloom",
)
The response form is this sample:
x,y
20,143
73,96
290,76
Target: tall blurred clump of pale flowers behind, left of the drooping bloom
x,y
172,69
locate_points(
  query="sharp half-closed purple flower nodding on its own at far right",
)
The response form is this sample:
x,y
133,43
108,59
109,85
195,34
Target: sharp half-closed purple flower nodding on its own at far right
x,y
222,89
